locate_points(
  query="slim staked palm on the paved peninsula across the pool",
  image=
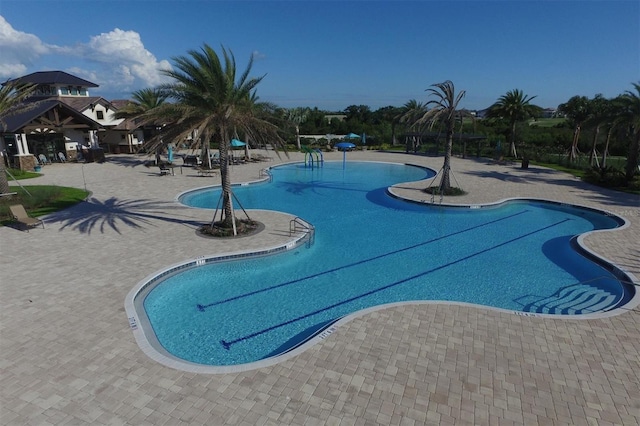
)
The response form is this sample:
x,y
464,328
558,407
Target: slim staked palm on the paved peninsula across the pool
x,y
445,110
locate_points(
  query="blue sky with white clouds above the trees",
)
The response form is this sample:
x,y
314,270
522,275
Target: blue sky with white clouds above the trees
x,y
332,54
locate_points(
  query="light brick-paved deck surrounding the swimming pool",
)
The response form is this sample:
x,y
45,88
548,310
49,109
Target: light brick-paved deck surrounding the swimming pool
x,y
69,357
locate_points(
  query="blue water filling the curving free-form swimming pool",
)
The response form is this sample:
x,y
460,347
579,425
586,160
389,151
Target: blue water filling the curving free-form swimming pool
x,y
372,249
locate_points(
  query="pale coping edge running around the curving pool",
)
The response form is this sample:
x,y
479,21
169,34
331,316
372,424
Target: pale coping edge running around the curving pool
x,y
146,340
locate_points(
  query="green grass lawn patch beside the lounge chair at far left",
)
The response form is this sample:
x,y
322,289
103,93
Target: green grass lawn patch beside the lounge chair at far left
x,y
44,199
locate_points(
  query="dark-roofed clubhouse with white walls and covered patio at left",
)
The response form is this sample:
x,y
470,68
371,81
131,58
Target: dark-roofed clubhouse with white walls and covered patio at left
x,y
64,122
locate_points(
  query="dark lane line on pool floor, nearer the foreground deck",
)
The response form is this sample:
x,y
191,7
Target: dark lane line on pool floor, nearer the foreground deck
x,y
228,343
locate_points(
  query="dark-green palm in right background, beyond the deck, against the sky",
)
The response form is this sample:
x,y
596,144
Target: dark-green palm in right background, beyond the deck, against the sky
x,y
514,107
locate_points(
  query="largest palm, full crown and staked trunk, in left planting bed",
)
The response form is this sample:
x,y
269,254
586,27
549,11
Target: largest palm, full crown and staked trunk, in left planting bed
x,y
213,101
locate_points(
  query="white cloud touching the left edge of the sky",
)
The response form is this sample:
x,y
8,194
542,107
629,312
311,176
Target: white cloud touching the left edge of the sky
x,y
19,50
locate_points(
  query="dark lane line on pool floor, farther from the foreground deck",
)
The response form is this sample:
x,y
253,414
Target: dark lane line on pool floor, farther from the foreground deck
x,y
203,308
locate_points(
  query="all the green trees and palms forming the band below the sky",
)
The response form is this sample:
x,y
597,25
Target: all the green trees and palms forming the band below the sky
x,y
209,102
